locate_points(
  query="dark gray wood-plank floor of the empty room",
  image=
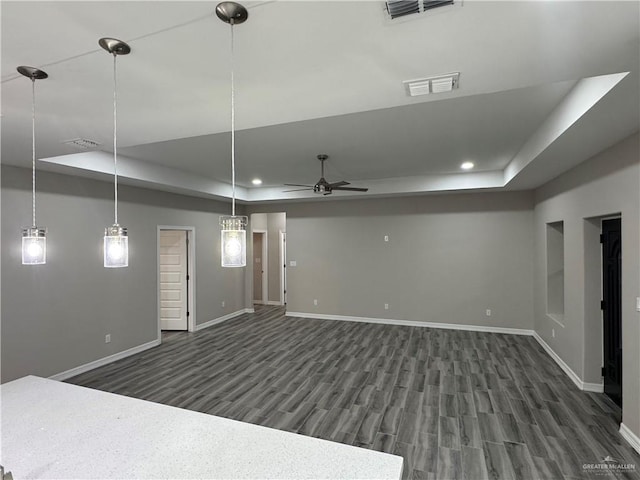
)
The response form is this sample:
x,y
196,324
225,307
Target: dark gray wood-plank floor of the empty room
x,y
455,404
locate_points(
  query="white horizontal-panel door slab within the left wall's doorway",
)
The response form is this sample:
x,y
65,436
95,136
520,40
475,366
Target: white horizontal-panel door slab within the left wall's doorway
x,y
173,280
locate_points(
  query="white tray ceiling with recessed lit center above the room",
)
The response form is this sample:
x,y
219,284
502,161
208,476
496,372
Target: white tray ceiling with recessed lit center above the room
x,y
323,77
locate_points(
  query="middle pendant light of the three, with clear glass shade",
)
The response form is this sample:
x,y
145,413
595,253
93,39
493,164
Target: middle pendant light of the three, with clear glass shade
x,y
116,241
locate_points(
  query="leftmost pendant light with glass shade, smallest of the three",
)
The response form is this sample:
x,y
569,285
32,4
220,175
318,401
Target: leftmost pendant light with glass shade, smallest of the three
x,y
34,240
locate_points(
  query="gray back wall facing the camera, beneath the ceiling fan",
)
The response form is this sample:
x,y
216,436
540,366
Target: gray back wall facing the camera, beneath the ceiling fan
x,y
448,259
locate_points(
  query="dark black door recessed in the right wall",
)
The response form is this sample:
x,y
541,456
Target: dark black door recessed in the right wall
x,y
612,308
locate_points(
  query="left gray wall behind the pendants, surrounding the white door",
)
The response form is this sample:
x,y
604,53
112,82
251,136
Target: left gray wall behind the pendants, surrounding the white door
x,y
55,316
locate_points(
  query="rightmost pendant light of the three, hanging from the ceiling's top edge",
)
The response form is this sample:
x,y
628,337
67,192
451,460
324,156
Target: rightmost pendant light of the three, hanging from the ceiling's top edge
x,y
233,235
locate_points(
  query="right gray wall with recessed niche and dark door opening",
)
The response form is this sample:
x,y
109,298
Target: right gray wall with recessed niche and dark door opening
x,y
604,185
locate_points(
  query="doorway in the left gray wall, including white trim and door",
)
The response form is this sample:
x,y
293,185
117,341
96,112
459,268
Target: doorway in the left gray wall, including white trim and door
x,y
175,278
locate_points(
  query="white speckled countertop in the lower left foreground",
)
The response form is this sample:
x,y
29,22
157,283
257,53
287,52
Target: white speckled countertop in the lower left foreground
x,y
56,430
